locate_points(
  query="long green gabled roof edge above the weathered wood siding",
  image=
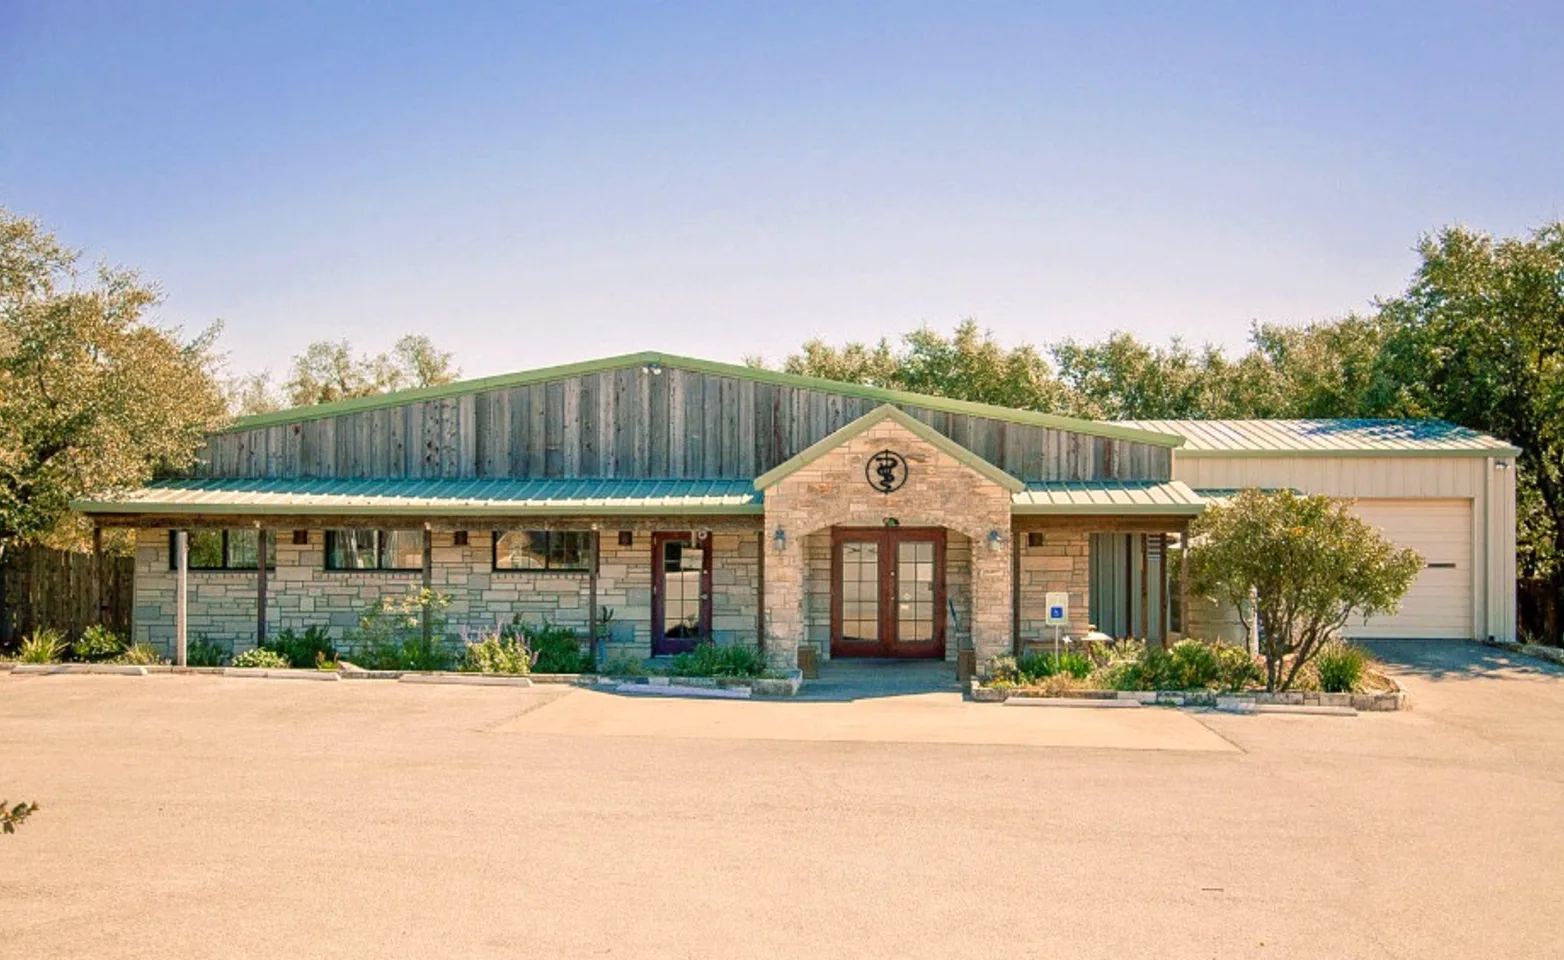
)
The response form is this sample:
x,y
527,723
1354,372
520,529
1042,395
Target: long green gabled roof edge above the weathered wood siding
x,y
719,370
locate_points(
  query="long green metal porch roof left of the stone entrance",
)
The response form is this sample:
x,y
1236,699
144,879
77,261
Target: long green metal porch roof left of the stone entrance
x,y
432,498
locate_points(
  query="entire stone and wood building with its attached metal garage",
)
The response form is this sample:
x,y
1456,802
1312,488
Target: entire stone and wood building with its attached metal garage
x,y
655,501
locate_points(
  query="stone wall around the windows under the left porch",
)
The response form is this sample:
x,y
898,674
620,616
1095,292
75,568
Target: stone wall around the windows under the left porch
x,y
303,593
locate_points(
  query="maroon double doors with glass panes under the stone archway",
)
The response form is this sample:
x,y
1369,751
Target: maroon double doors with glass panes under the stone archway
x,y
888,592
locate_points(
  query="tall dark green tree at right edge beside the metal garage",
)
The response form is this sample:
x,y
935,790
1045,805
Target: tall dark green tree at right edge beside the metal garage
x,y
1479,340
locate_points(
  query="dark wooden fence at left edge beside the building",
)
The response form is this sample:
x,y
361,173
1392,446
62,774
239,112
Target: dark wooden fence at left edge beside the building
x,y
65,590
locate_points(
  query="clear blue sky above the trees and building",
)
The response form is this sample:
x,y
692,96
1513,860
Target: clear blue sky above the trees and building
x,y
551,182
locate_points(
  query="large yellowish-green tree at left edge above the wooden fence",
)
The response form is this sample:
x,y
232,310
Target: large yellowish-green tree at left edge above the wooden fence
x,y
93,395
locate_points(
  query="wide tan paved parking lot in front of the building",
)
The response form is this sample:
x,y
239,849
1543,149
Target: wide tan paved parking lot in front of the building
x,y
193,817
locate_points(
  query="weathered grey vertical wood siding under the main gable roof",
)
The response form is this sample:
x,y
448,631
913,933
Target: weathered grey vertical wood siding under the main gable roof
x,y
633,423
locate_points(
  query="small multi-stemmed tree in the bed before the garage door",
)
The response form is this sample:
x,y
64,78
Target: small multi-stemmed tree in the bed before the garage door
x,y
1305,565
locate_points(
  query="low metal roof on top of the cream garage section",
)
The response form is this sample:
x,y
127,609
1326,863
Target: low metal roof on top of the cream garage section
x,y
1329,439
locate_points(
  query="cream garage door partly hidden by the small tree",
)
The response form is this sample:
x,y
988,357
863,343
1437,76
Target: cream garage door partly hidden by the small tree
x,y
1440,604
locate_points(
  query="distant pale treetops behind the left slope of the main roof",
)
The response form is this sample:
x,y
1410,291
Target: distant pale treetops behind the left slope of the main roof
x,y
329,371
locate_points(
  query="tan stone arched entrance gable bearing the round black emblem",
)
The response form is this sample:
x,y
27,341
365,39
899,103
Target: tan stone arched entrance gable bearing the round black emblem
x,y
941,492
